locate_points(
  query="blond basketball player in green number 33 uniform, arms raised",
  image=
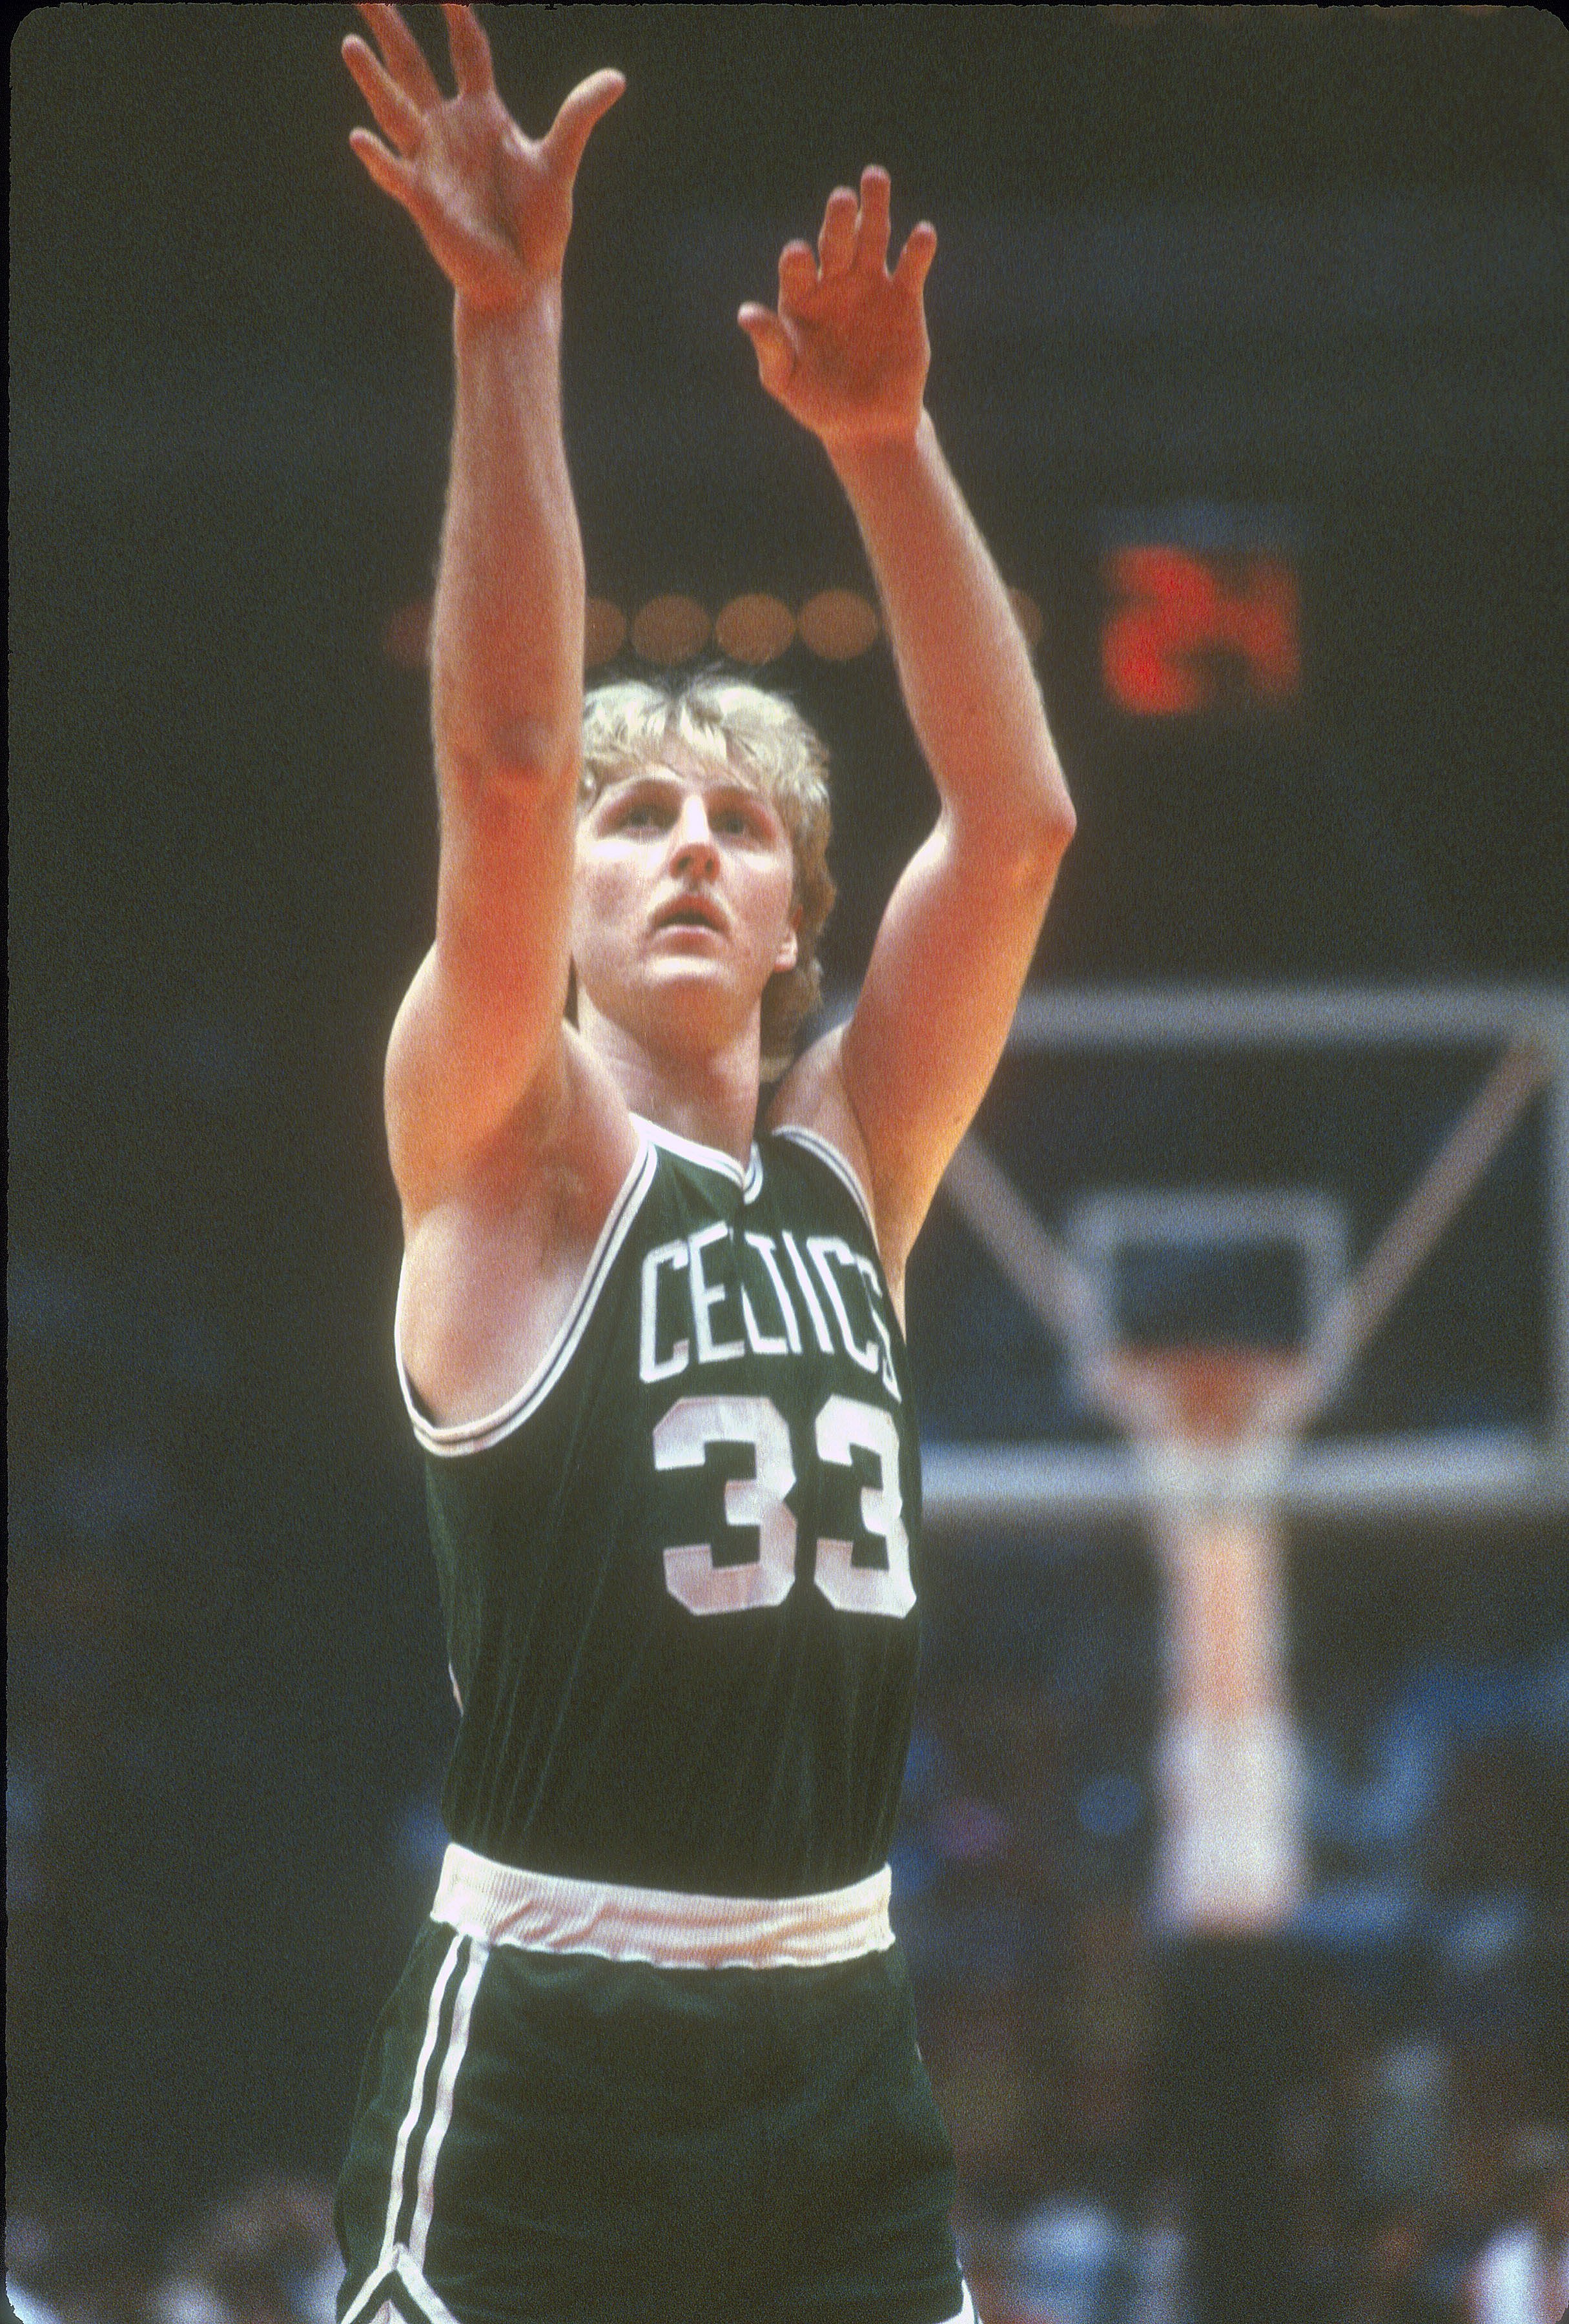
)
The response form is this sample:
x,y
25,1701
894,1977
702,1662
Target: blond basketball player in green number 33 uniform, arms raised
x,y
654,2053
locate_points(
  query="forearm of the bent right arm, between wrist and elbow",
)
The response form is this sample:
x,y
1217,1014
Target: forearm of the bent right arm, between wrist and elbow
x,y
963,664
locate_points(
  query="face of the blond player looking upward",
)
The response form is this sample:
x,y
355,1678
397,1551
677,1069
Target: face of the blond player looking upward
x,y
682,903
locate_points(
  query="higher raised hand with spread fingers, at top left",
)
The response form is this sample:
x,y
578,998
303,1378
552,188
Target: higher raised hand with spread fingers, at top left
x,y
494,206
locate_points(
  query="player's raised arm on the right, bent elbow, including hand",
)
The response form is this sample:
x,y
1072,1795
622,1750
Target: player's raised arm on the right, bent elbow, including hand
x,y
847,357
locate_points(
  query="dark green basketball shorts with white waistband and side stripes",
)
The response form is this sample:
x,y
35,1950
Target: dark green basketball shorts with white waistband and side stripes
x,y
554,2135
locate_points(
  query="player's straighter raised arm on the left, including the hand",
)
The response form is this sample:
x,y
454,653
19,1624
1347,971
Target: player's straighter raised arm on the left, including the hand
x,y
478,1042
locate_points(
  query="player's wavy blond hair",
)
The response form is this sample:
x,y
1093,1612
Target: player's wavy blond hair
x,y
766,740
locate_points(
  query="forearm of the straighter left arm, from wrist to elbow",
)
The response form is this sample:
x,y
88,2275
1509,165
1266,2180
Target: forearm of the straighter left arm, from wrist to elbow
x,y
508,629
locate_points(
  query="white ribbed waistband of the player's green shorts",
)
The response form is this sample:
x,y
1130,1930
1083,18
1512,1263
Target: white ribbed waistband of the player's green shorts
x,y
545,1914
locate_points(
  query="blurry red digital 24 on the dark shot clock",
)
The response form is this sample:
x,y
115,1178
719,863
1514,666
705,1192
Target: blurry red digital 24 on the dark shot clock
x,y
1196,633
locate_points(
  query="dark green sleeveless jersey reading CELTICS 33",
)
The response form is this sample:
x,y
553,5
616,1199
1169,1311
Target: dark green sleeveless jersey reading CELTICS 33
x,y
680,1565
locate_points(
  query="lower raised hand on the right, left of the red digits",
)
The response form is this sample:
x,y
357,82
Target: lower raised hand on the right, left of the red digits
x,y
847,350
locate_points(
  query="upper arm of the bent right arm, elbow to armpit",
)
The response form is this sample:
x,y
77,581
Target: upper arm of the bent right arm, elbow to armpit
x,y
936,1010
